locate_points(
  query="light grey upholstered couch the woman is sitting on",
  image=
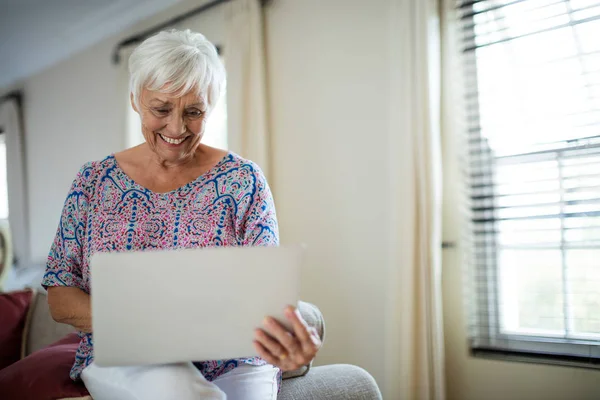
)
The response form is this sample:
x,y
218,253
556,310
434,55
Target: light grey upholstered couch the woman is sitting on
x,y
338,381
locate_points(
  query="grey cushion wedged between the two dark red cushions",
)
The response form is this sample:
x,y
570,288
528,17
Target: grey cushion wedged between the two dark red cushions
x,y
41,329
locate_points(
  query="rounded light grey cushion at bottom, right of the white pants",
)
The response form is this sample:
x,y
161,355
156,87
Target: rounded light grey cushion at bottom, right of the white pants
x,y
340,381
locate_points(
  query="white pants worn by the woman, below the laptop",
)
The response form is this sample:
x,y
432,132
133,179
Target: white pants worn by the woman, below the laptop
x,y
179,381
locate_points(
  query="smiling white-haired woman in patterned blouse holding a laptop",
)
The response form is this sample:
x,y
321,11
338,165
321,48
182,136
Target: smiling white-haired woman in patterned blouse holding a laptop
x,y
171,192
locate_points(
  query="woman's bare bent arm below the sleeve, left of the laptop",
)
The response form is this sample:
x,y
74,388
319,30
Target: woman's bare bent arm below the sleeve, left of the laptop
x,y
71,305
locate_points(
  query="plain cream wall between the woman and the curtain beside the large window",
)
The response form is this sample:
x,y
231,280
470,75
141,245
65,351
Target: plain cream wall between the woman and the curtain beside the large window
x,y
328,93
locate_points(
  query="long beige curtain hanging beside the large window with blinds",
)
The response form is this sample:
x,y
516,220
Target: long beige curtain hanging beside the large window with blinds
x,y
414,332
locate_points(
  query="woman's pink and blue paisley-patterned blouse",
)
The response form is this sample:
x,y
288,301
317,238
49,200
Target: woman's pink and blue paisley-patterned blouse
x,y
105,210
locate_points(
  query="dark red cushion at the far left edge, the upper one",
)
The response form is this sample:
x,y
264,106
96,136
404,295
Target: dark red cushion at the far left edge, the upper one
x,y
13,314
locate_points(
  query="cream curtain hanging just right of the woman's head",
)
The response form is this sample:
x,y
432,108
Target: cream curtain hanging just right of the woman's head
x,y
246,82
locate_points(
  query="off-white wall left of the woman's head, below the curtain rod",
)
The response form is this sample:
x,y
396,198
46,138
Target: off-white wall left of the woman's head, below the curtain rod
x,y
70,118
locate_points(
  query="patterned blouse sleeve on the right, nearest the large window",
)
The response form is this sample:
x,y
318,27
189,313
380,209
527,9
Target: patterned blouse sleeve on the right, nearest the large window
x,y
260,221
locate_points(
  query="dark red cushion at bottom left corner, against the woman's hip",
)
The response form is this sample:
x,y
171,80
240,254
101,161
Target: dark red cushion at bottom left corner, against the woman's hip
x,y
44,375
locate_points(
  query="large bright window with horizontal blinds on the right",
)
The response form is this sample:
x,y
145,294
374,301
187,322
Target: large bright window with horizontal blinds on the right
x,y
532,71
